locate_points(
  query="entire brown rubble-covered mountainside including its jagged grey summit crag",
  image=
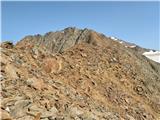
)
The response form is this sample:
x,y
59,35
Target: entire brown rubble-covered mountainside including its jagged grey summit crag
x,y
77,75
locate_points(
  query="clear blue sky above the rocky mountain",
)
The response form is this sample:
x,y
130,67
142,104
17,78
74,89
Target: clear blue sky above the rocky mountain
x,y
136,22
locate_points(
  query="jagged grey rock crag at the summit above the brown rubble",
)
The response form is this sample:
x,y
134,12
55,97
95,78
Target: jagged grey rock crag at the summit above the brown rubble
x,y
55,42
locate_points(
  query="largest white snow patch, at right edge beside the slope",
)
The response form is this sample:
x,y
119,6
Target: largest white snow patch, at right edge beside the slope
x,y
155,56
